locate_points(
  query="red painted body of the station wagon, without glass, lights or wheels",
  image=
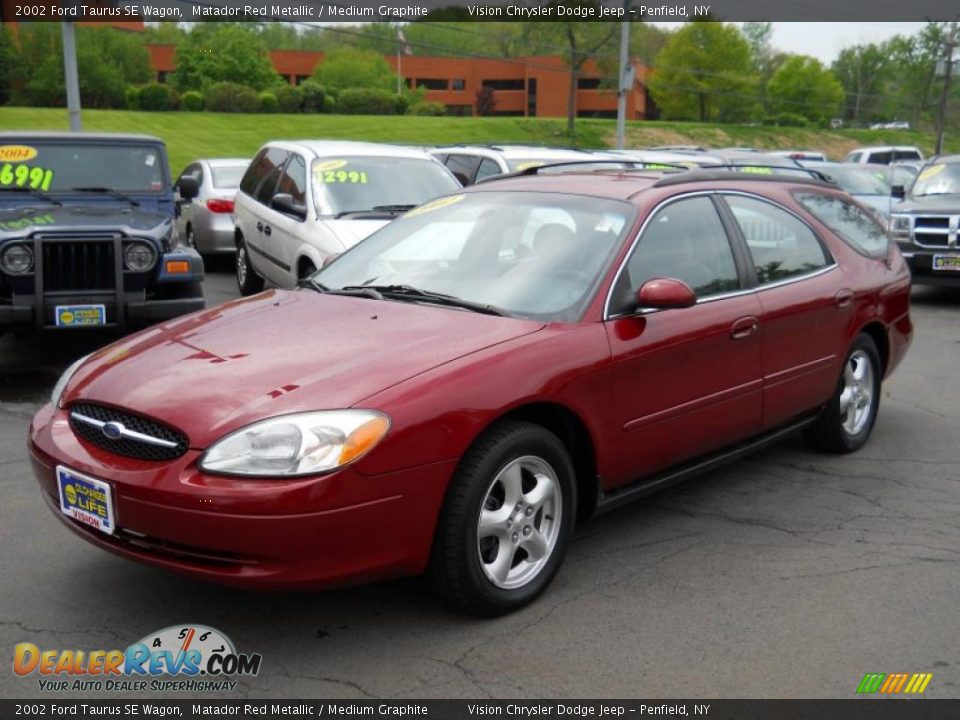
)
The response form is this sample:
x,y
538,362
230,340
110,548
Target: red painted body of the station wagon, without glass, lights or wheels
x,y
641,393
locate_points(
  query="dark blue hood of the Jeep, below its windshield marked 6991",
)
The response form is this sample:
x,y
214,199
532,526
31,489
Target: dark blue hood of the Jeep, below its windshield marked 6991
x,y
24,220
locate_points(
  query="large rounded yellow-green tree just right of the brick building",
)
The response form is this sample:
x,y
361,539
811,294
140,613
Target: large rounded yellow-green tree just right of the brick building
x,y
704,72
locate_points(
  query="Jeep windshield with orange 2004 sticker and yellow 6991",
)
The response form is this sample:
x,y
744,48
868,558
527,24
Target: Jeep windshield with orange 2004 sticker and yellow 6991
x,y
58,167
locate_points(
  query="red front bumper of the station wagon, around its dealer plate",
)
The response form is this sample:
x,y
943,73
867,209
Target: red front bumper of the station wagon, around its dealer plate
x,y
342,528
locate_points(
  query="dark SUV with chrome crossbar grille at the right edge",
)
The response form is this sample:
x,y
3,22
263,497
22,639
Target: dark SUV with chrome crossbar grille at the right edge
x,y
927,223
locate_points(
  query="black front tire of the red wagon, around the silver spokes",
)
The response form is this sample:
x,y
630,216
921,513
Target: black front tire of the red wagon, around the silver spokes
x,y
456,568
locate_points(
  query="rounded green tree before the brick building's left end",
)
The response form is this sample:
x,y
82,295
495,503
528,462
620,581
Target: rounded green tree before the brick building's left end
x,y
223,52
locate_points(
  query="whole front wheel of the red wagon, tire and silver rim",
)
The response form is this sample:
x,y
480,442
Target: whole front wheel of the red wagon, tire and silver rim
x,y
507,520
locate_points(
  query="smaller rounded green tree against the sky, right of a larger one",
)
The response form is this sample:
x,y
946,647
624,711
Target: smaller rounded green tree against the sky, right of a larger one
x,y
802,85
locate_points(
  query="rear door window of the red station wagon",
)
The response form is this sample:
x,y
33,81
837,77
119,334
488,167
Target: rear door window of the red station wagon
x,y
781,245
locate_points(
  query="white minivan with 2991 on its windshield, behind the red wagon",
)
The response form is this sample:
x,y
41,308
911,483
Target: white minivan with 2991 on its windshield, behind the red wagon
x,y
301,202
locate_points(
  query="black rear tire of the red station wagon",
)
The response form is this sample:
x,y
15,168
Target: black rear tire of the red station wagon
x,y
832,432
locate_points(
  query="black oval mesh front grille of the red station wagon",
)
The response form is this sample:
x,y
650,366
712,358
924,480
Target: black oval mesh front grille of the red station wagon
x,y
129,447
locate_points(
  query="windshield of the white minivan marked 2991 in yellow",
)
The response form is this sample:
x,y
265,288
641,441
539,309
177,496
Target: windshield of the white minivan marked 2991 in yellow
x,y
357,184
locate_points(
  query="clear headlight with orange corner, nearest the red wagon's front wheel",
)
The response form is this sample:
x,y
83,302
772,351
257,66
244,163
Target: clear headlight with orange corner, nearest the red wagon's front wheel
x,y
294,445
